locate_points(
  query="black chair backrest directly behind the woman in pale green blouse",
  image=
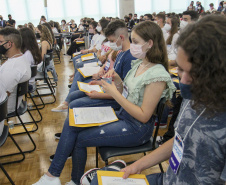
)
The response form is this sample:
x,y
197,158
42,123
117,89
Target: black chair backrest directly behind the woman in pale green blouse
x,y
159,111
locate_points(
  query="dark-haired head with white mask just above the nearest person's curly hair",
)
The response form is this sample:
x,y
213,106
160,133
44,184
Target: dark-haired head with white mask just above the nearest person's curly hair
x,y
188,17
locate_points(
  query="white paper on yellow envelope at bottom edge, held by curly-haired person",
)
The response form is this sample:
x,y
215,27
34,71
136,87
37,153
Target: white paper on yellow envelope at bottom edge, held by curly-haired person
x,y
120,181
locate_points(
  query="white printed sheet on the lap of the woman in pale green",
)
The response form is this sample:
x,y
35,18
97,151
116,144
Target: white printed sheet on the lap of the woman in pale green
x,y
89,115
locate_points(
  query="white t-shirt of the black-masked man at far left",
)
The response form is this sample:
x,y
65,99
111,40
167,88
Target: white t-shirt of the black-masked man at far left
x,y
13,72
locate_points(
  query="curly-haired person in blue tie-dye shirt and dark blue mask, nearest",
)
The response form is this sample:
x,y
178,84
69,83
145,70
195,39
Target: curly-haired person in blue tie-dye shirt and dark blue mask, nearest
x,y
200,140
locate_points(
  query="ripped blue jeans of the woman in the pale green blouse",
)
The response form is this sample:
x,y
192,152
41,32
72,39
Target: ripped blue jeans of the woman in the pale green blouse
x,y
127,132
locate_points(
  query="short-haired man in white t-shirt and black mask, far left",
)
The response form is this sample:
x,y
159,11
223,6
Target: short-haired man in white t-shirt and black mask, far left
x,y
16,69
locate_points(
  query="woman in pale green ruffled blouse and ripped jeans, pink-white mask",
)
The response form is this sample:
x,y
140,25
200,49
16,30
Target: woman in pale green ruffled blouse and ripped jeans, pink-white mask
x,y
147,82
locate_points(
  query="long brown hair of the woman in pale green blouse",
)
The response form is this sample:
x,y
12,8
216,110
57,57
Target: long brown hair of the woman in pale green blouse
x,y
148,30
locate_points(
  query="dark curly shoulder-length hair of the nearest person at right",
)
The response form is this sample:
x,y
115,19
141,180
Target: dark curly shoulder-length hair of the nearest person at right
x,y
204,42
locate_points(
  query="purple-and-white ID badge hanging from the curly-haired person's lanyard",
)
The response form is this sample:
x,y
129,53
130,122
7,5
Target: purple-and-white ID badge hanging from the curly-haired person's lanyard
x,y
177,153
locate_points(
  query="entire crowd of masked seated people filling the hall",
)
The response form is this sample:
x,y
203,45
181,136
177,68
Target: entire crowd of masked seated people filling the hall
x,y
136,54
